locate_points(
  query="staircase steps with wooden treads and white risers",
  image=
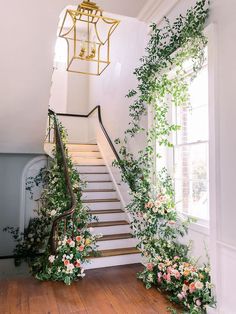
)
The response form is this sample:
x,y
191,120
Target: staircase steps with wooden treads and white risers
x,y
117,245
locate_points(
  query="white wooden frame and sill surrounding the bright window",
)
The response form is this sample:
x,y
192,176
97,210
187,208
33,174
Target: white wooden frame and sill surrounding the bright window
x,y
201,225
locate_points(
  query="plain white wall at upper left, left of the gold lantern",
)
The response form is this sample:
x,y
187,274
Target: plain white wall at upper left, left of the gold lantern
x,y
28,35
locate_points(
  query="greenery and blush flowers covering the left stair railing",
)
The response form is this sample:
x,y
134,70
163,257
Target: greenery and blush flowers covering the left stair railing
x,y
33,245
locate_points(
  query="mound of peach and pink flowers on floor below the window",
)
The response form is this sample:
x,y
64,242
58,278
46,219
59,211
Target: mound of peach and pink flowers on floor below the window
x,y
185,283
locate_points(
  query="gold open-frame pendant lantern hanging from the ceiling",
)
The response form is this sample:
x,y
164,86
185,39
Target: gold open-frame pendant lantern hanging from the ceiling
x,y
88,34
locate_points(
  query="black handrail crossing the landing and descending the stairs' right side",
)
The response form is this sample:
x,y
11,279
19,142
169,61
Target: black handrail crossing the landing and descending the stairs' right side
x,y
100,122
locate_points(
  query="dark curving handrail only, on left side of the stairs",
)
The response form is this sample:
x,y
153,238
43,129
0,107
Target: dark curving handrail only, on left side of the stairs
x,y
73,203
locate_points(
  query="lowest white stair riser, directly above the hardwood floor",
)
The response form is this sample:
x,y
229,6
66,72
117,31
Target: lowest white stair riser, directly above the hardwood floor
x,y
113,261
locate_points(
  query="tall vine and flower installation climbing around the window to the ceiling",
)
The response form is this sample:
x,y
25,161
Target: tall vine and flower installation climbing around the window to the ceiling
x,y
162,82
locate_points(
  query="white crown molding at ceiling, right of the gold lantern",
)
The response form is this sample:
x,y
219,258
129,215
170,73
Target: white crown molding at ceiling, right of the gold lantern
x,y
155,10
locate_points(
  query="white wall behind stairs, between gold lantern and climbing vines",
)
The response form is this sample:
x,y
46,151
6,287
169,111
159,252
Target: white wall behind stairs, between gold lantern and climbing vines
x,y
109,90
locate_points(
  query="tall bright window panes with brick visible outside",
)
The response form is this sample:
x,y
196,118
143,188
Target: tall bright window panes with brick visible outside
x,y
191,146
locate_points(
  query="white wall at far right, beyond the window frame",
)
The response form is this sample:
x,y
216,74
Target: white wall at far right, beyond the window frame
x,y
223,214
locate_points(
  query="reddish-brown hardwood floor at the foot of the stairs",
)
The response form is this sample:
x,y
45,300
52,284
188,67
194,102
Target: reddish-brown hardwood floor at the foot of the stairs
x,y
103,291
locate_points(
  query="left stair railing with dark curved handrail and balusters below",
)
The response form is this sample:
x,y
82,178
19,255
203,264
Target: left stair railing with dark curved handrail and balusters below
x,y
57,140
